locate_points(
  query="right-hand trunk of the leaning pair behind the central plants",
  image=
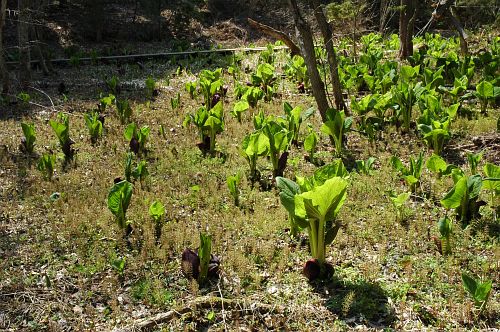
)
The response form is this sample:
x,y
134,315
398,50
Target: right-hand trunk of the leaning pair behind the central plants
x,y
327,33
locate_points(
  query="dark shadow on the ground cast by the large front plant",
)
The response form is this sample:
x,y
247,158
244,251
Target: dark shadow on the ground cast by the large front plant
x,y
357,302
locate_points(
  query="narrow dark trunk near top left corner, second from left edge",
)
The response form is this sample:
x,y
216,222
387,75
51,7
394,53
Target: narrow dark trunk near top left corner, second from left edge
x,y
23,41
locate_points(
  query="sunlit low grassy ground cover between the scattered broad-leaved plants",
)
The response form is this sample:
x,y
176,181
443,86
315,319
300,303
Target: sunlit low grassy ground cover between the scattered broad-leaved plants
x,y
60,246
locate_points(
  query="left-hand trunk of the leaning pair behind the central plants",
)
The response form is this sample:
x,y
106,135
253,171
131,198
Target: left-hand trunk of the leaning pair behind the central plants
x,y
307,46
